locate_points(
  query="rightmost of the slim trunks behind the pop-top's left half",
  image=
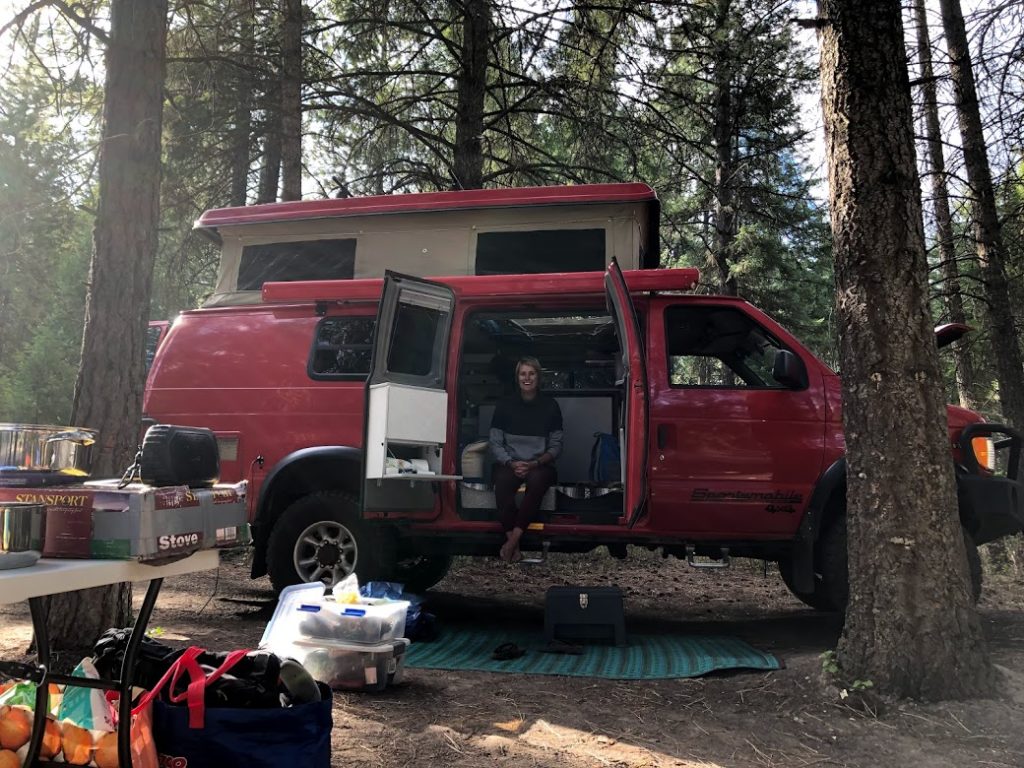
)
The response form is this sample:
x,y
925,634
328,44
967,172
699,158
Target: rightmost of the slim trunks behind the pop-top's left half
x,y
291,101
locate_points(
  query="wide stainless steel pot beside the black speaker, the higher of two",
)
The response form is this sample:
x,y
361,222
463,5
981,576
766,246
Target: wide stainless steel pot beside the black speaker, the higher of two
x,y
45,449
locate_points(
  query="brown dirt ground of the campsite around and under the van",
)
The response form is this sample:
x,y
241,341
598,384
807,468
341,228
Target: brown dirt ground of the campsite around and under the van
x,y
785,718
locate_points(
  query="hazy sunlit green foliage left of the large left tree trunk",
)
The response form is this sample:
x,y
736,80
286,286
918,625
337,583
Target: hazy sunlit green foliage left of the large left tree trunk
x,y
45,250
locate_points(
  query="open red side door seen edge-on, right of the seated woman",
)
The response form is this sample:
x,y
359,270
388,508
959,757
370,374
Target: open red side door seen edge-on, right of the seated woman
x,y
633,415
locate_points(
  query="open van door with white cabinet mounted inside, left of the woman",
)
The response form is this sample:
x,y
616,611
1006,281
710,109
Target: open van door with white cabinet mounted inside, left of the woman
x,y
407,401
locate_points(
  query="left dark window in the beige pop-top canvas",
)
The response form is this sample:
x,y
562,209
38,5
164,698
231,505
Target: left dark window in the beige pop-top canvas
x,y
287,263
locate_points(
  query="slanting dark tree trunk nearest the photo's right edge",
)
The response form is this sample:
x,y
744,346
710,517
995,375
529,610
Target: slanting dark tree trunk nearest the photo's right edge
x,y
1006,346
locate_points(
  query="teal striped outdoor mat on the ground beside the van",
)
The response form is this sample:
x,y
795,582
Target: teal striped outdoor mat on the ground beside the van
x,y
647,657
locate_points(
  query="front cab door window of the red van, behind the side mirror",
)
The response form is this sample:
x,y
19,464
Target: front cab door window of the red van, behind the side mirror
x,y
713,347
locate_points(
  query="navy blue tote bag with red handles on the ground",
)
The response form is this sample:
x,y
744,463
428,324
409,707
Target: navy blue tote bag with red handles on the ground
x,y
189,734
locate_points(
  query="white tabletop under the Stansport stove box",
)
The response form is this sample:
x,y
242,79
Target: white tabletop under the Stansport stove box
x,y
52,576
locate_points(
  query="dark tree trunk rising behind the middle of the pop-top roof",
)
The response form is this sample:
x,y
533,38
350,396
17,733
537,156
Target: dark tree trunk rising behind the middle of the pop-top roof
x,y
467,165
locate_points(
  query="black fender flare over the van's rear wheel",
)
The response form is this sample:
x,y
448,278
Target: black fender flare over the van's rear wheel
x,y
302,473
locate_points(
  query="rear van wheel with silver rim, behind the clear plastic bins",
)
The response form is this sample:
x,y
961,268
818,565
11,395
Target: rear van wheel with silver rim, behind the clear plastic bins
x,y
322,538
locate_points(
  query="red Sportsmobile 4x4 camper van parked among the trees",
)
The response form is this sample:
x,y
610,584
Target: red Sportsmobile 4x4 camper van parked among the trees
x,y
729,430
